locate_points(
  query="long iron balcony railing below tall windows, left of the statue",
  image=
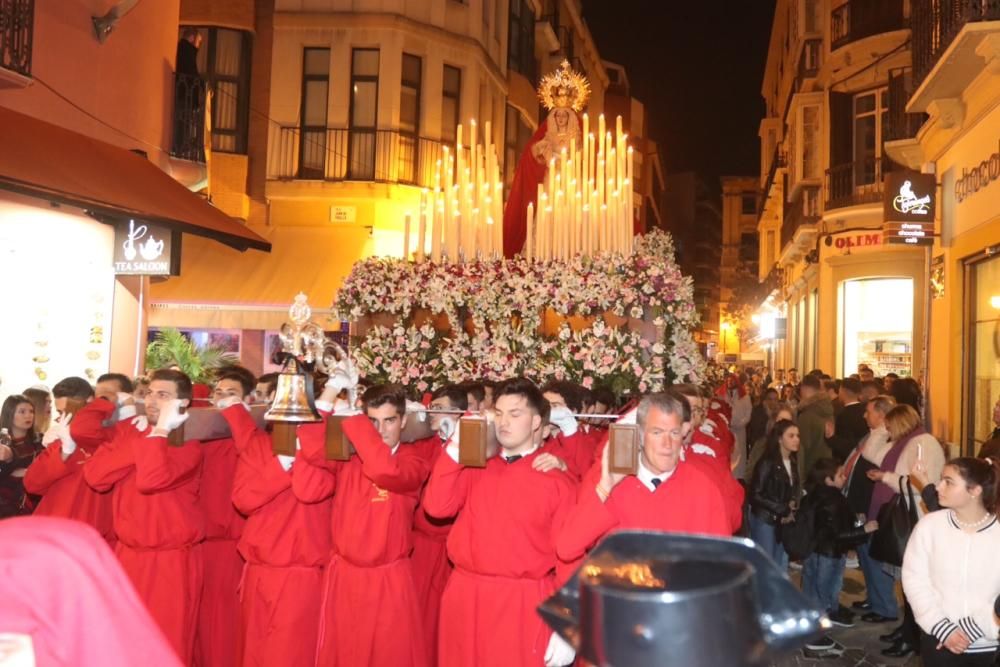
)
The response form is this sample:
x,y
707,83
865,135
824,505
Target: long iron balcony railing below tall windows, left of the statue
x,y
341,154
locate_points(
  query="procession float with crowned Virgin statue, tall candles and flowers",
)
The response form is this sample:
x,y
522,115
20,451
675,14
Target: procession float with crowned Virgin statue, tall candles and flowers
x,y
554,284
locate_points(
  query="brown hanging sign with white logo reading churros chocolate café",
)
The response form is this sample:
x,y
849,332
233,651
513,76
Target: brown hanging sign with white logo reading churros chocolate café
x,y
908,208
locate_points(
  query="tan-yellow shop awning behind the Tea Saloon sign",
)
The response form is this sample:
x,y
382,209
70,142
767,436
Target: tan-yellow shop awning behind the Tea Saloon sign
x,y
222,289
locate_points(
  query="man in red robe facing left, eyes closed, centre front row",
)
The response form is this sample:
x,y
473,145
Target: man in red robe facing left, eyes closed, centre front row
x,y
502,543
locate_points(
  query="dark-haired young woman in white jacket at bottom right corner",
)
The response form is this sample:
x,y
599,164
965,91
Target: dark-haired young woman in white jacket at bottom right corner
x,y
950,573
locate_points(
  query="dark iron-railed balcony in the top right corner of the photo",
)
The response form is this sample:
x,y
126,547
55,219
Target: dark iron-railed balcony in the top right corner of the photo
x,y
936,24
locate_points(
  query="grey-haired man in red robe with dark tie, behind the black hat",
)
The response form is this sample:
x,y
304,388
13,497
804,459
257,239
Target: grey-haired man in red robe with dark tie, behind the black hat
x,y
668,493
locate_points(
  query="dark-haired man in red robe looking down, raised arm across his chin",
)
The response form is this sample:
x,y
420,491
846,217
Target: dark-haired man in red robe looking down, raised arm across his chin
x,y
370,613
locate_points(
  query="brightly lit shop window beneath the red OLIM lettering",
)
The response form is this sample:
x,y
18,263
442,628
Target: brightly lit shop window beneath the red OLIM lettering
x,y
878,325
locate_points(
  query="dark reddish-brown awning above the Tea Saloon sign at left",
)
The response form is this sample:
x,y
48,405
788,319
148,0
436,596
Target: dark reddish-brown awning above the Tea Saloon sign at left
x,y
47,161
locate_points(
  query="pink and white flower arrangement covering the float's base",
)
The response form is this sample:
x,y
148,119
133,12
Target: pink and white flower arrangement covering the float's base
x,y
505,301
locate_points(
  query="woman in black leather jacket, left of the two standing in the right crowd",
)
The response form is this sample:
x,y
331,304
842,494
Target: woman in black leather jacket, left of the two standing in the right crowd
x,y
775,489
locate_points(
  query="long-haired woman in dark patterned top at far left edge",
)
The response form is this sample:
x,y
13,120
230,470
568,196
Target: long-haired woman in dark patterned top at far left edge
x,y
17,416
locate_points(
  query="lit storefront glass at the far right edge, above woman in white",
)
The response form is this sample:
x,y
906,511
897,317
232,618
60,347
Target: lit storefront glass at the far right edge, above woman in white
x,y
984,348
